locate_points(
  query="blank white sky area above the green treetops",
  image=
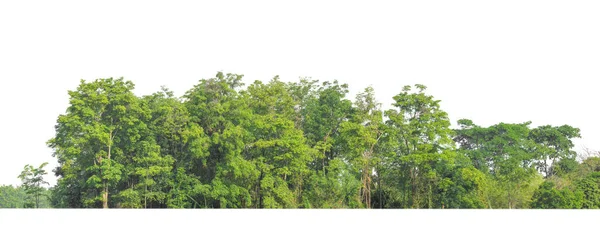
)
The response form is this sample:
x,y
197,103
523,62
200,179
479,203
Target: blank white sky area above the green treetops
x,y
489,61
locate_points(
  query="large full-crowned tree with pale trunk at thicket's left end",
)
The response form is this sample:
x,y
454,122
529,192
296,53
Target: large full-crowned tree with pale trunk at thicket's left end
x,y
92,139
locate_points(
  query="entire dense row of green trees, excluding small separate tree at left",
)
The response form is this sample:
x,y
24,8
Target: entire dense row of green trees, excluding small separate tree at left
x,y
303,144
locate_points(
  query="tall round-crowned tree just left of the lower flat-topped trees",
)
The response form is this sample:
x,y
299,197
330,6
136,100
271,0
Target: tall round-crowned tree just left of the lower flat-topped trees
x,y
420,141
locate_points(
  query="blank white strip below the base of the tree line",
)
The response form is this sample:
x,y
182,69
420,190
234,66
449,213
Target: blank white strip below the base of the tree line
x,y
302,223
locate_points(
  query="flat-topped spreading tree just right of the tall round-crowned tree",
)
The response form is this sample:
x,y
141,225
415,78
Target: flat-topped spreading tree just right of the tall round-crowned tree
x,y
508,154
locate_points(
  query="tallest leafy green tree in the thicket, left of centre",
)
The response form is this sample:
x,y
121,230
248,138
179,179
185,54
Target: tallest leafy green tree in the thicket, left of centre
x,y
224,177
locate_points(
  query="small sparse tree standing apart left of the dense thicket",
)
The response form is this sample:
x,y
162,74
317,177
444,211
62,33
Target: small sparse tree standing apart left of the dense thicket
x,y
32,179
